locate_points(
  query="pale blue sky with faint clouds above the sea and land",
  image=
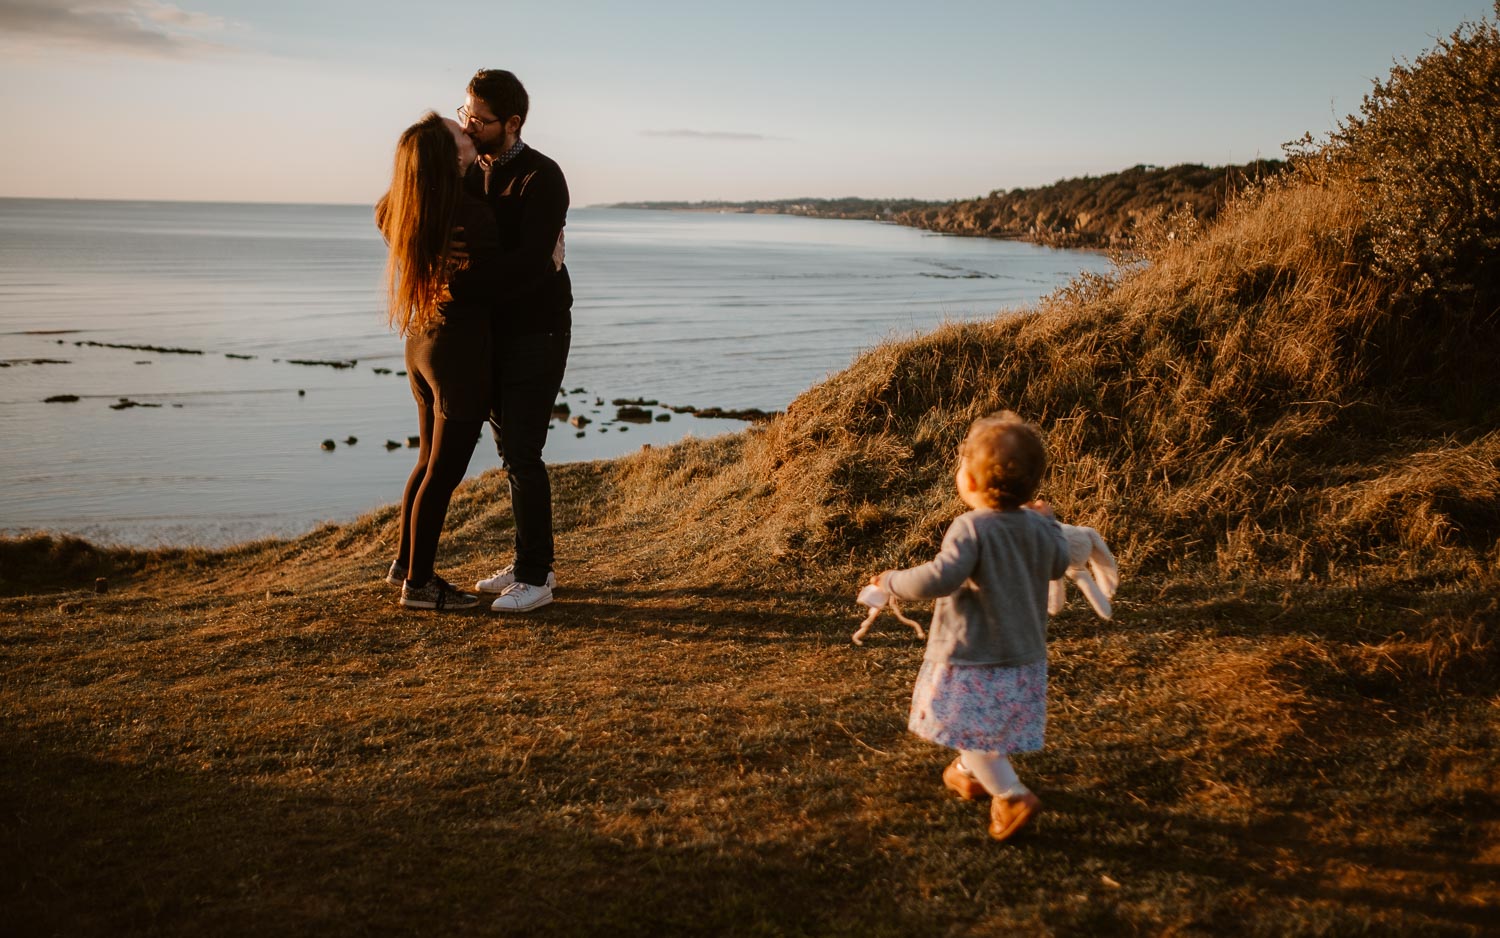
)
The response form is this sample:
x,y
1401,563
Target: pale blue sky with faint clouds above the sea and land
x,y
302,100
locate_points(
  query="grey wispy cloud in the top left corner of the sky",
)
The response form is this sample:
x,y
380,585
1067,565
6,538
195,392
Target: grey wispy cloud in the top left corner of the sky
x,y
143,28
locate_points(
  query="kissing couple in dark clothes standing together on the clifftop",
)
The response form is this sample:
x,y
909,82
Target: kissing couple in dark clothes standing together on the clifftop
x,y
478,287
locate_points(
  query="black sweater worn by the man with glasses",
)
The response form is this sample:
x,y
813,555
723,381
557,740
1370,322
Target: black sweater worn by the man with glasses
x,y
530,200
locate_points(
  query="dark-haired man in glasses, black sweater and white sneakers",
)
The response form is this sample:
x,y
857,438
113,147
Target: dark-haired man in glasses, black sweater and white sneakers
x,y
533,322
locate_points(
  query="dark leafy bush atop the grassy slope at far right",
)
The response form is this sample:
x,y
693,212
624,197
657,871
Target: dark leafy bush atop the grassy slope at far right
x,y
1424,154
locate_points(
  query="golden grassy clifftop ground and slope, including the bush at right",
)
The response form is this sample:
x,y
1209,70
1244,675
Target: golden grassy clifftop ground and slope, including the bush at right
x,y
1286,422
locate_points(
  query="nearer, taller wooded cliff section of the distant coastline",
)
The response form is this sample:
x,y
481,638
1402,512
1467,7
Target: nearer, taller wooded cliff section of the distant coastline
x,y
1091,211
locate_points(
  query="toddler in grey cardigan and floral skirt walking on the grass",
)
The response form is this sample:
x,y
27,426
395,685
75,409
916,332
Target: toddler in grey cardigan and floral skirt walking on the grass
x,y
983,684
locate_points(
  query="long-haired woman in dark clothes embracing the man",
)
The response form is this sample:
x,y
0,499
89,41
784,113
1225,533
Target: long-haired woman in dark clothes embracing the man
x,y
439,304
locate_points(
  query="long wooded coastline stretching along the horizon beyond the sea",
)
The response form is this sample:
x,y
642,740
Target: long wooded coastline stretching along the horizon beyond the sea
x,y
1085,212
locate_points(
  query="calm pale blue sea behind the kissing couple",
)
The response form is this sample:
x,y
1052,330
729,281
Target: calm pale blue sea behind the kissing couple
x,y
226,439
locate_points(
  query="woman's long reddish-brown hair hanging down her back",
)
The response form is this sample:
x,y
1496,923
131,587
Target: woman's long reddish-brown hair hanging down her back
x,y
418,217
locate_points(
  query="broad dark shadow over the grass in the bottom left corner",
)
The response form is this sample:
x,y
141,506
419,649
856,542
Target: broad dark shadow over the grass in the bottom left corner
x,y
98,847
